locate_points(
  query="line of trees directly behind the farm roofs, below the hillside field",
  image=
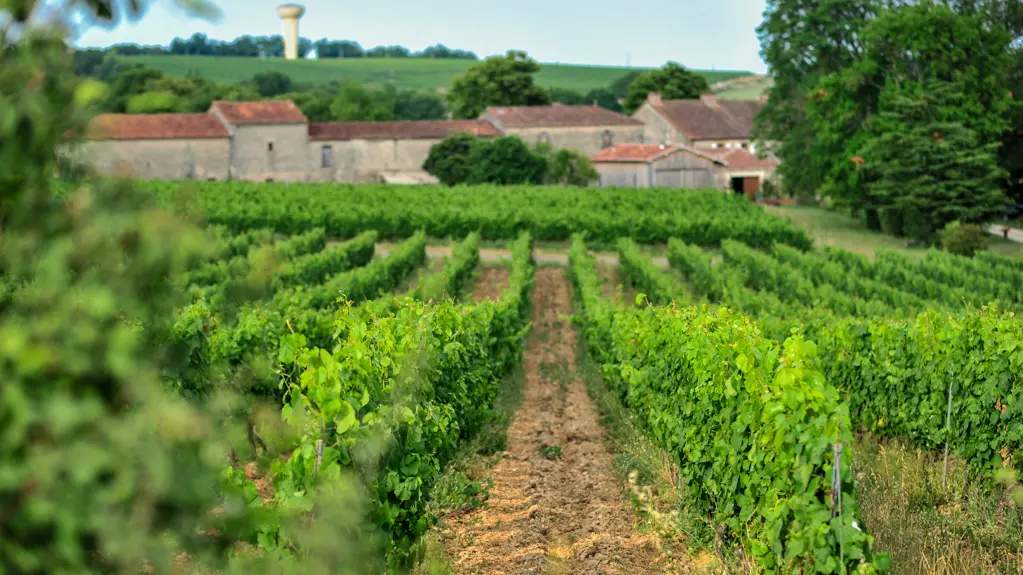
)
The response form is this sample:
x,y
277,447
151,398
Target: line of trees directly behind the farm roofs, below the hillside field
x,y
508,80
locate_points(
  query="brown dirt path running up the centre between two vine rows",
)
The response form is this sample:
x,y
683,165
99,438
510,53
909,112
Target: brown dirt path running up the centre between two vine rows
x,y
556,506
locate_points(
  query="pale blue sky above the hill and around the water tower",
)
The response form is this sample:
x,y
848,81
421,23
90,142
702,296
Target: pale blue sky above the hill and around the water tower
x,y
698,34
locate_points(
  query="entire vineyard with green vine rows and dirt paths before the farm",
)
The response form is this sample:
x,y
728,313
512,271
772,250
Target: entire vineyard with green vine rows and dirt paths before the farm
x,y
755,365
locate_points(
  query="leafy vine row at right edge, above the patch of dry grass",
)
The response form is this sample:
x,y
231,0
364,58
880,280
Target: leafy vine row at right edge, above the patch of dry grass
x,y
898,374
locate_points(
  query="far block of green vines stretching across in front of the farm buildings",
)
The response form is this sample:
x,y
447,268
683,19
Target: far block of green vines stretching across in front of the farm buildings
x,y
549,213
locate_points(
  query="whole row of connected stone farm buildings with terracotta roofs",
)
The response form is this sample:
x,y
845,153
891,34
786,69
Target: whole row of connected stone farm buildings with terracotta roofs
x,y
275,142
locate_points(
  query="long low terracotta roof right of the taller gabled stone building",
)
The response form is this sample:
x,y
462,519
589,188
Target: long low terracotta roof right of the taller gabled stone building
x,y
399,130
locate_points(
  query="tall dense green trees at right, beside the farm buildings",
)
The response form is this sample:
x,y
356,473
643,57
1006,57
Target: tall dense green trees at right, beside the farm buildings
x,y
902,113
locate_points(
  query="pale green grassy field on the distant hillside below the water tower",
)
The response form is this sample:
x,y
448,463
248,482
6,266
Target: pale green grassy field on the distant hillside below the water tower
x,y
410,74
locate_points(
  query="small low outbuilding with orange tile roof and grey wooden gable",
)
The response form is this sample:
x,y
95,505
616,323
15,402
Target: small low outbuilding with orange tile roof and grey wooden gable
x,y
657,166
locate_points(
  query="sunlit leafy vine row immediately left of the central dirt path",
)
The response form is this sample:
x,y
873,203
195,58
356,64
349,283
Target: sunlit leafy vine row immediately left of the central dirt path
x,y
391,403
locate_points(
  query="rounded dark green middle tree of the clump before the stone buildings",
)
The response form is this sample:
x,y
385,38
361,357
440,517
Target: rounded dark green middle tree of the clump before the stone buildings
x,y
506,161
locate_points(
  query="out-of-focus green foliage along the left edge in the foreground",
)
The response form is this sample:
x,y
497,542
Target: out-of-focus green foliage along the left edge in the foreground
x,y
101,470
